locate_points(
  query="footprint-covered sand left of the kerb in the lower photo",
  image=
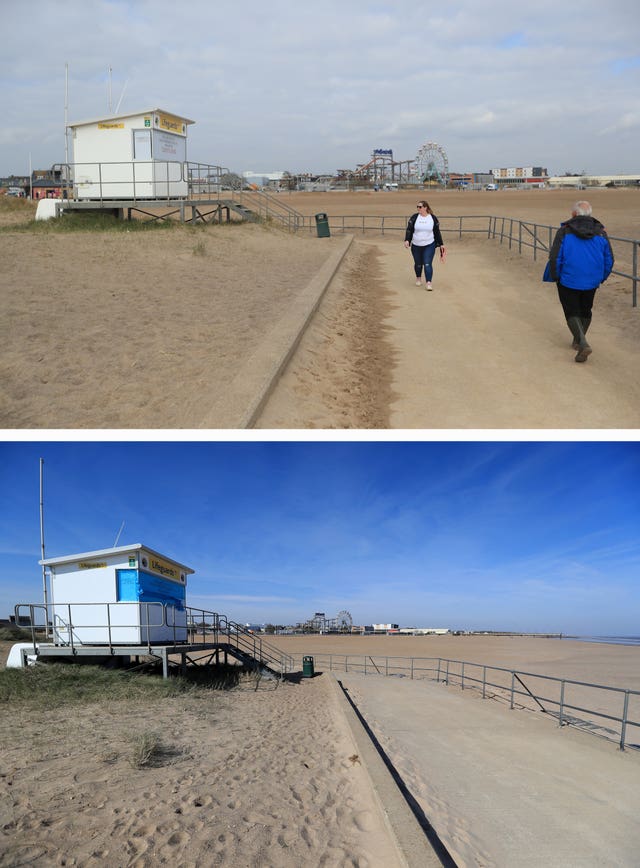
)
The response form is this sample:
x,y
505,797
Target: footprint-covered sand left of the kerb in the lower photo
x,y
255,776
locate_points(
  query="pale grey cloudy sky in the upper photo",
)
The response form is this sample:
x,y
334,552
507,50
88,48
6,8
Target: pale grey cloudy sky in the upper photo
x,y
317,86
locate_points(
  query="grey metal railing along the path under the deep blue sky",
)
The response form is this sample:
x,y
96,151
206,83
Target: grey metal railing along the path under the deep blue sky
x,y
440,669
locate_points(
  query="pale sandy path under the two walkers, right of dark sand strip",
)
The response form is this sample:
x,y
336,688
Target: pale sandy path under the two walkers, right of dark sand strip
x,y
489,348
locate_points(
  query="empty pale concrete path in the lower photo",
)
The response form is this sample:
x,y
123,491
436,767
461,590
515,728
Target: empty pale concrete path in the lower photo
x,y
505,788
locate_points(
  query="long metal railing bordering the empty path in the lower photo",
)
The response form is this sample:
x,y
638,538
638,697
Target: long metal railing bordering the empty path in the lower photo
x,y
561,698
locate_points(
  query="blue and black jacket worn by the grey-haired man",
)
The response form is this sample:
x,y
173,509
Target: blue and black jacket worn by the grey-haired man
x,y
581,256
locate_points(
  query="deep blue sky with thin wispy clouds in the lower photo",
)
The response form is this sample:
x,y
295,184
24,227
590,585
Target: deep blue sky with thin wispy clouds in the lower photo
x,y
522,536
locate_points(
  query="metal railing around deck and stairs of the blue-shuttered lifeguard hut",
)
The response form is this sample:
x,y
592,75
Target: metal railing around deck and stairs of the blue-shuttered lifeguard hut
x,y
72,624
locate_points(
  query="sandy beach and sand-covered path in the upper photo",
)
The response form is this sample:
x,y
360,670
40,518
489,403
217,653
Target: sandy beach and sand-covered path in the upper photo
x,y
147,330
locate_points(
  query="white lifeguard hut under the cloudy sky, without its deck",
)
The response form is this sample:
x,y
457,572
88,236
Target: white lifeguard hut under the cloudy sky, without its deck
x,y
138,155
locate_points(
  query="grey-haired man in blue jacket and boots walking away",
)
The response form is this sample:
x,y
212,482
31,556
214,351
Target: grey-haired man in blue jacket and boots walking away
x,y
580,260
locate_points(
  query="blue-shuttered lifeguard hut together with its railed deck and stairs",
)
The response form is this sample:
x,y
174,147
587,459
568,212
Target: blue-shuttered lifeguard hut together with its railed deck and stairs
x,y
129,602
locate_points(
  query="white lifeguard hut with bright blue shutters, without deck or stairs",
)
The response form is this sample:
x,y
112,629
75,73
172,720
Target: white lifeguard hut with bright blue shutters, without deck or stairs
x,y
128,595
